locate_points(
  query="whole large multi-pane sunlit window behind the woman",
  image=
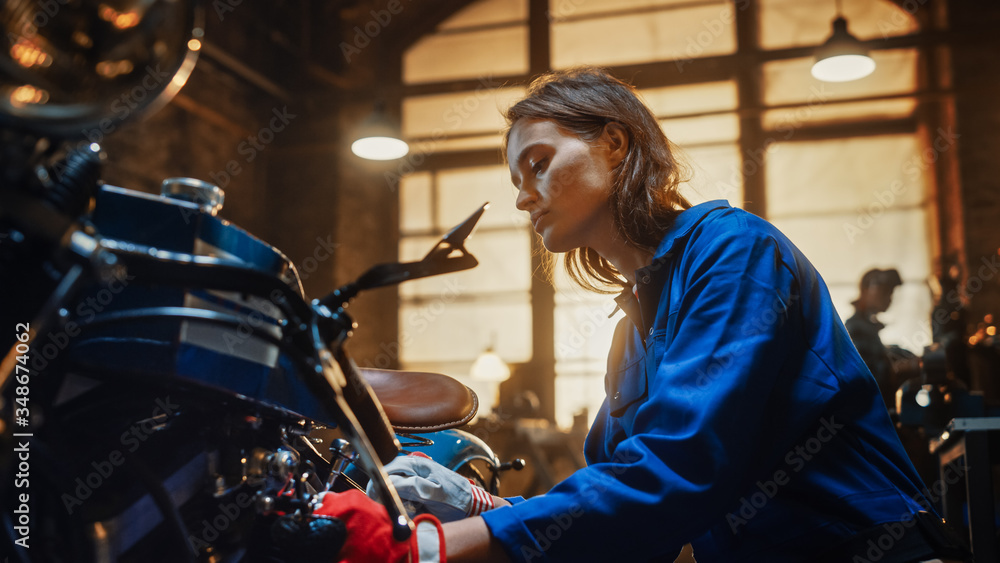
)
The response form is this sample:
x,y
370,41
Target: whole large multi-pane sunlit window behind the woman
x,y
841,167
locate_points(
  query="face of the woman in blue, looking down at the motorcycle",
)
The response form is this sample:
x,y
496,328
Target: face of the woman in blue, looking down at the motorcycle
x,y
563,183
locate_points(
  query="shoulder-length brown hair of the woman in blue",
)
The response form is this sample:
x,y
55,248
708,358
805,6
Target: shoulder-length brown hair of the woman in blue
x,y
645,197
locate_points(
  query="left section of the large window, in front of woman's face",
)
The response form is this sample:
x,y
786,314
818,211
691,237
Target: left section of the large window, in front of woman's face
x,y
448,321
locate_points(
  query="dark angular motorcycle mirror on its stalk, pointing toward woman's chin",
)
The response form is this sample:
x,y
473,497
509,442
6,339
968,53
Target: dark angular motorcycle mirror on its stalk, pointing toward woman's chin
x,y
448,255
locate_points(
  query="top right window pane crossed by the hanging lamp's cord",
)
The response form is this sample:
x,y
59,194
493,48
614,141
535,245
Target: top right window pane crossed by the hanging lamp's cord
x,y
795,23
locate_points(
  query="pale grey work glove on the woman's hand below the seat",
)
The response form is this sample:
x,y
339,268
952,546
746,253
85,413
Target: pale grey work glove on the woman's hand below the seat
x,y
426,486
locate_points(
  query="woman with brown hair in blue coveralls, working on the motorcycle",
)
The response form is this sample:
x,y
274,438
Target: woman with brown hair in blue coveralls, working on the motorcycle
x,y
738,418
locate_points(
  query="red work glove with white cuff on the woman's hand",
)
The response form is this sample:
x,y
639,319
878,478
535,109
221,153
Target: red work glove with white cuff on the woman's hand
x,y
369,532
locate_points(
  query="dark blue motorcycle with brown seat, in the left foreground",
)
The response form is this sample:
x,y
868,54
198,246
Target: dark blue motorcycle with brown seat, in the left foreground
x,y
169,393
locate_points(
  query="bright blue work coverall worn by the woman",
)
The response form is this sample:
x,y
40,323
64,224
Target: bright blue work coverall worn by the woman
x,y
739,417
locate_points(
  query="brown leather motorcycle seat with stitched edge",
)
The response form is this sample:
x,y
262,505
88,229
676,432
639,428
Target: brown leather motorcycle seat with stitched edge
x,y
416,401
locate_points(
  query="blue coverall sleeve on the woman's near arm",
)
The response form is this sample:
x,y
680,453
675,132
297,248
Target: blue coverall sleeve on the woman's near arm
x,y
695,441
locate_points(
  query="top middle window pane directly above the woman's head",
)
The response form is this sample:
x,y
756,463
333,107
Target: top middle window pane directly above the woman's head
x,y
646,35
